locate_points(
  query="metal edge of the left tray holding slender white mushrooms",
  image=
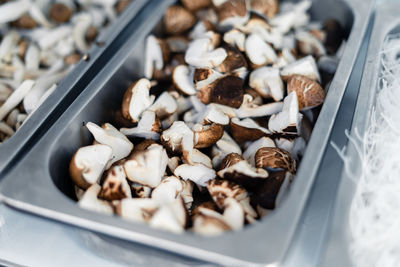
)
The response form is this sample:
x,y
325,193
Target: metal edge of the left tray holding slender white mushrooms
x,y
68,89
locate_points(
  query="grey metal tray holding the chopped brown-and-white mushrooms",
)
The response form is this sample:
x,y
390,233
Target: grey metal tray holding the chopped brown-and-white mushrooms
x,y
41,183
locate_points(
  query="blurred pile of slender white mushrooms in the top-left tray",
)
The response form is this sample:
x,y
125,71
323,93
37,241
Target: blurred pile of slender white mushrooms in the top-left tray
x,y
40,42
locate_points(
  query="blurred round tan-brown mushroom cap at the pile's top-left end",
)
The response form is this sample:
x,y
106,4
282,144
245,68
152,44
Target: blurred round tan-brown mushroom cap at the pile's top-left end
x,y
178,19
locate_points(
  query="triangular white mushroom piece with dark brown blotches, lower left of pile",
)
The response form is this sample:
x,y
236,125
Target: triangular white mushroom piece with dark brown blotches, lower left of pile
x,y
115,185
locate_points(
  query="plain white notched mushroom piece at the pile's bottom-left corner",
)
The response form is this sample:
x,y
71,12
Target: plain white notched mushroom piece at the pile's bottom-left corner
x,y
90,201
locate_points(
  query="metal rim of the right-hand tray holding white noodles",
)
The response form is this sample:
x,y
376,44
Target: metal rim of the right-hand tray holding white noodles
x,y
386,22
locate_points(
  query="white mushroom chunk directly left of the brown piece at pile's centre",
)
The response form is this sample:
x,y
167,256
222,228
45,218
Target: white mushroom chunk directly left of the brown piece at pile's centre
x,y
173,137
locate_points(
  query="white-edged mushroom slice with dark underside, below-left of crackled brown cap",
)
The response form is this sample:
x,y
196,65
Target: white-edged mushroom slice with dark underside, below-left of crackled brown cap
x,y
244,174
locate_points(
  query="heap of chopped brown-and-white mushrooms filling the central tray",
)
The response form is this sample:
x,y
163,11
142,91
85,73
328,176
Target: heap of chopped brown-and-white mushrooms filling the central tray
x,y
213,134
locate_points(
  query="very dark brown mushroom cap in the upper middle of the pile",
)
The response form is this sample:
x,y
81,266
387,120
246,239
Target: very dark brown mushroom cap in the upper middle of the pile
x,y
228,91
